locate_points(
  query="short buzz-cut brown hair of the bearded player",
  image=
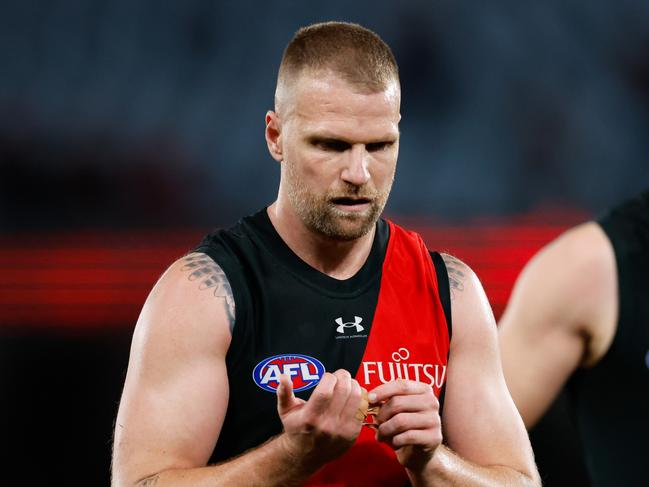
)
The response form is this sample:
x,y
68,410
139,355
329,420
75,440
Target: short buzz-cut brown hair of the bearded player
x,y
356,54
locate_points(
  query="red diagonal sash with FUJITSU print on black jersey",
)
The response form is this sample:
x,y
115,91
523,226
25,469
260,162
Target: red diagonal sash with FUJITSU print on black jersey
x,y
408,339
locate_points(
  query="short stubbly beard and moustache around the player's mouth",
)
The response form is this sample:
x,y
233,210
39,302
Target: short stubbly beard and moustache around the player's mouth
x,y
321,215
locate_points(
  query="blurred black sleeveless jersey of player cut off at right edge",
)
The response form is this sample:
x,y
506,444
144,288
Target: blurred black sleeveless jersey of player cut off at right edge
x,y
611,399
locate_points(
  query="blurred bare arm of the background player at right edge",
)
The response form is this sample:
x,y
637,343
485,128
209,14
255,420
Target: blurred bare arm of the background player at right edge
x,y
561,315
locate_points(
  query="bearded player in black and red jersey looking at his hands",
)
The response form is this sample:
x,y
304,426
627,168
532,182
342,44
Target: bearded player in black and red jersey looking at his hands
x,y
226,382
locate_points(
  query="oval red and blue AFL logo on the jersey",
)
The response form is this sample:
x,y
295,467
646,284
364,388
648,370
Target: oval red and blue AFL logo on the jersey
x,y
304,371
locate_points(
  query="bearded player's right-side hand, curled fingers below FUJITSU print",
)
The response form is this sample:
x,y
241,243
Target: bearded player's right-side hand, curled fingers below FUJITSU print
x,y
408,421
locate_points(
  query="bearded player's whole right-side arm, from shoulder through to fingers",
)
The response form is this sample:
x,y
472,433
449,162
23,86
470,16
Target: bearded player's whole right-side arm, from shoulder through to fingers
x,y
484,439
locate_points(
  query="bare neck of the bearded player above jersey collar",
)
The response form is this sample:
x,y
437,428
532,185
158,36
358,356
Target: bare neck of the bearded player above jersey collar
x,y
339,259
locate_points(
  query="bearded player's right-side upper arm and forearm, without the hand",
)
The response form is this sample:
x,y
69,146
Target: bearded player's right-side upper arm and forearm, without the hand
x,y
486,440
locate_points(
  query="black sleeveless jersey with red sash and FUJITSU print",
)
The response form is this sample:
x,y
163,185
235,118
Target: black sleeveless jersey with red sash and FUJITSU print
x,y
385,322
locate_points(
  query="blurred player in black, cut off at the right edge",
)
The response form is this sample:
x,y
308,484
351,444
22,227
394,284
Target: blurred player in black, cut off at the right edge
x,y
580,308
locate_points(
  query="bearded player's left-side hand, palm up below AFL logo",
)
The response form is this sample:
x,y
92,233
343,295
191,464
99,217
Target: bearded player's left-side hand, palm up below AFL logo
x,y
324,427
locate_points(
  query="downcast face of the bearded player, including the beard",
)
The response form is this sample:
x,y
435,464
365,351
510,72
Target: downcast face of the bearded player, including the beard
x,y
339,154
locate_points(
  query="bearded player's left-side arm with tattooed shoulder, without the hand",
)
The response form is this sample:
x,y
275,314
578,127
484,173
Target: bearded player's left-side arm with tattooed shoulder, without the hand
x,y
176,390
